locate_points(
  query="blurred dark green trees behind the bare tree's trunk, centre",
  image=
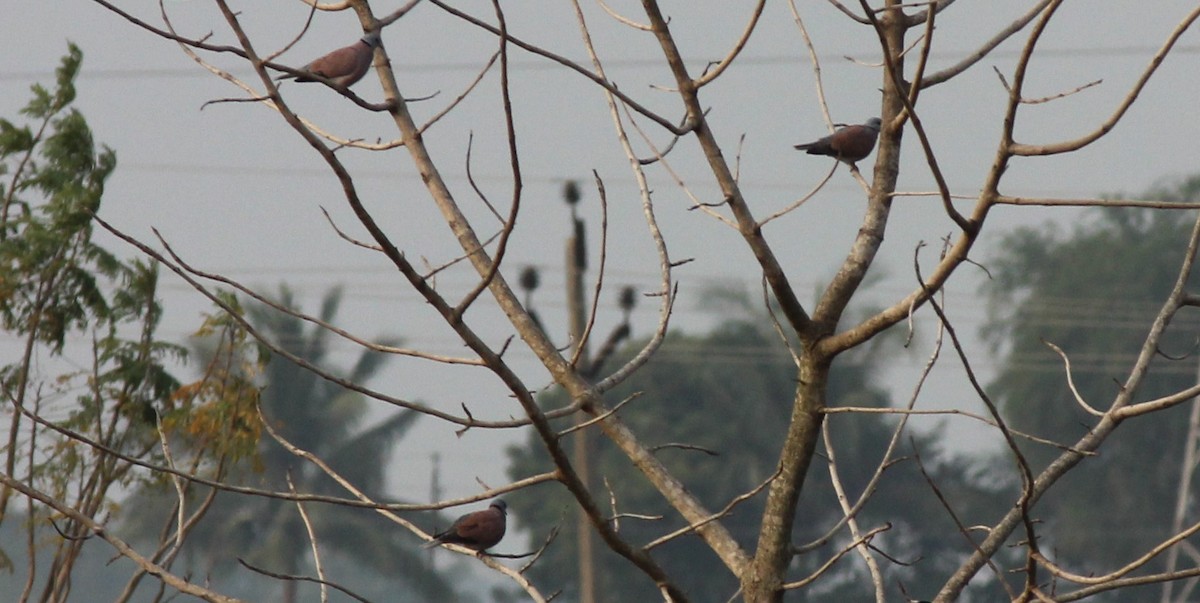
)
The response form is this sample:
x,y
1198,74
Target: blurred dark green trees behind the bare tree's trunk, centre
x,y
731,392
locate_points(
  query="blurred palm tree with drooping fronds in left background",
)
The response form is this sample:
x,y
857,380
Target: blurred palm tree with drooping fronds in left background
x,y
326,420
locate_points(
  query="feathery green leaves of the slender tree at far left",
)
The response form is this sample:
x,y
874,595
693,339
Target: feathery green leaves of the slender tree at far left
x,y
56,282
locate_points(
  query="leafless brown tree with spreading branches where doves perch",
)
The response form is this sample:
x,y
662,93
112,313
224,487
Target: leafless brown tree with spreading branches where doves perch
x,y
651,138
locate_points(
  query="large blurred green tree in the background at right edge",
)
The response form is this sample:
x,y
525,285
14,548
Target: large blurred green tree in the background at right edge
x,y
1094,292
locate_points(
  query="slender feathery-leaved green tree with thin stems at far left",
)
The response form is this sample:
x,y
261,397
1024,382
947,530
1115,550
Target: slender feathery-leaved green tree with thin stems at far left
x,y
91,366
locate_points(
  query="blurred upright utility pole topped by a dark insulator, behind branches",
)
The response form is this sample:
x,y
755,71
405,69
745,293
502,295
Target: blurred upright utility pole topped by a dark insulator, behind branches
x,y
578,315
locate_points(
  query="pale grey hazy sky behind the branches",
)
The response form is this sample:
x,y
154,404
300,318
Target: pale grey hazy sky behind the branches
x,y
237,193
